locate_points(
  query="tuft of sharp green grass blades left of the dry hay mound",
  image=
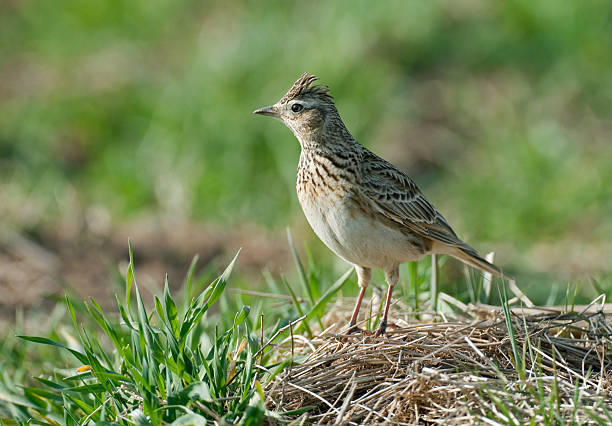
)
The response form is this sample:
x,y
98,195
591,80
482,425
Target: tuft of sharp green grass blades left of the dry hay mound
x,y
149,367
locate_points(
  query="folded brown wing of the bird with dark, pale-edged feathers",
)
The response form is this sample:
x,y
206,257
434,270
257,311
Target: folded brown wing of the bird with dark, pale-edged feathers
x,y
396,196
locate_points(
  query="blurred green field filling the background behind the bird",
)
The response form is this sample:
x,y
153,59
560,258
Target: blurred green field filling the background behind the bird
x,y
117,111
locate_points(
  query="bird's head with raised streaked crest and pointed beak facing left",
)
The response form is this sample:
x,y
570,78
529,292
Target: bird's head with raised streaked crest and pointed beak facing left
x,y
305,108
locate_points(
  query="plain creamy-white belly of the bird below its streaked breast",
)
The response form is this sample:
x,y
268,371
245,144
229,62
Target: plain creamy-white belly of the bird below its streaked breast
x,y
355,237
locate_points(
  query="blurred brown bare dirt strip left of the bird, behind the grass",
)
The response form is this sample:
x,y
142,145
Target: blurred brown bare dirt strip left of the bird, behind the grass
x,y
37,269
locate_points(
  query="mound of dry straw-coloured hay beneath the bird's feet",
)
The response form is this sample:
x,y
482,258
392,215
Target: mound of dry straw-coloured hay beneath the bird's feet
x,y
458,372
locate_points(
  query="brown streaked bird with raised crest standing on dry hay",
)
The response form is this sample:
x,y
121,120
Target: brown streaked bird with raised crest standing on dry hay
x,y
366,210
